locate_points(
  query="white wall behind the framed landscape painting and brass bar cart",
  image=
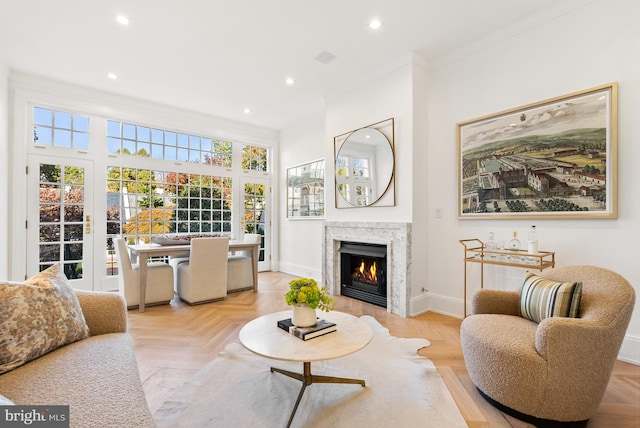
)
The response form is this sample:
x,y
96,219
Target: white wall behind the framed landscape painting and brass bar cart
x,y
586,48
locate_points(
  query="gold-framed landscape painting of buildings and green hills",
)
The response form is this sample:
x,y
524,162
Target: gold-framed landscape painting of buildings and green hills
x,y
551,159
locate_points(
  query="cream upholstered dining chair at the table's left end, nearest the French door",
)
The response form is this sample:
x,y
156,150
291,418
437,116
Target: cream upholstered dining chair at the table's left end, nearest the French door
x,y
159,277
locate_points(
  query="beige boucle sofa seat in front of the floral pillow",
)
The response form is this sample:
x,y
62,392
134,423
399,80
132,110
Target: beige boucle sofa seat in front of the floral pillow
x,y
97,378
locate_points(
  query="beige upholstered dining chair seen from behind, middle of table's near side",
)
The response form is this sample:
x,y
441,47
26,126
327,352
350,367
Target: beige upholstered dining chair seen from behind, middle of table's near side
x,y
204,277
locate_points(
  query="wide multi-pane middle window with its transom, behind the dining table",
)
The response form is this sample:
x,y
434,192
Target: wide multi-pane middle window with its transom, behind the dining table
x,y
142,203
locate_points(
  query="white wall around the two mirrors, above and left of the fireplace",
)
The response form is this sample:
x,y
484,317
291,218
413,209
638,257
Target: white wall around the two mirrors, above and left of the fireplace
x,y
387,95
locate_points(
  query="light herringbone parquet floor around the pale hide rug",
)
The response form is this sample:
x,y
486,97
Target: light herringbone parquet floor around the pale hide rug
x,y
172,342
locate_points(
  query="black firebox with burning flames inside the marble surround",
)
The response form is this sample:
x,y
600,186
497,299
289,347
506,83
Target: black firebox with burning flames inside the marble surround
x,y
363,272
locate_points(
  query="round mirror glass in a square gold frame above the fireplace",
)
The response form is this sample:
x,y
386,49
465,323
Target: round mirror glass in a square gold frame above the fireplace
x,y
364,167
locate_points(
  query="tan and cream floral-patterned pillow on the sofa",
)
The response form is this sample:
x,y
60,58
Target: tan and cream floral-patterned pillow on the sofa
x,y
38,316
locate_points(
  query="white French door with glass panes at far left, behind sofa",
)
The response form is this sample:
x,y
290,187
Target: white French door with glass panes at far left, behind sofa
x,y
60,217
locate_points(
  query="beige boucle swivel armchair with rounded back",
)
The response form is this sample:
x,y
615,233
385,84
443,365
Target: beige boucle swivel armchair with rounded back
x,y
555,372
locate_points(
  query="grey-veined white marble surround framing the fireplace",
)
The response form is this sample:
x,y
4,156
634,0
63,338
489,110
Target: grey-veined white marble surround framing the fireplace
x,y
397,238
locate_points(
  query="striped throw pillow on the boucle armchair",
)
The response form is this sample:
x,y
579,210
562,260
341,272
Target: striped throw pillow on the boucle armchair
x,y
541,298
